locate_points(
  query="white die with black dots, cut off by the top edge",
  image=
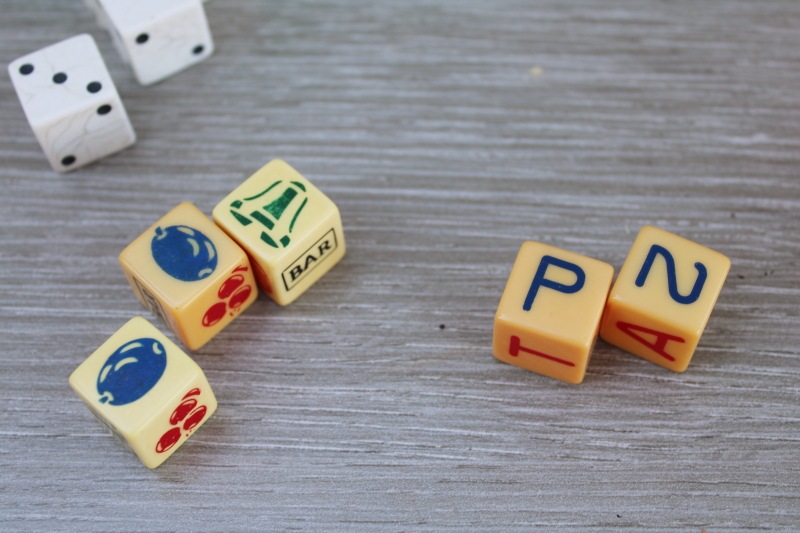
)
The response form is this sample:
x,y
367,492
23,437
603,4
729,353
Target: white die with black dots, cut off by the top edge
x,y
158,38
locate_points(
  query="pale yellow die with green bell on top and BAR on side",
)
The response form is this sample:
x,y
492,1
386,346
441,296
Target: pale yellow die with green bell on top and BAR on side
x,y
291,231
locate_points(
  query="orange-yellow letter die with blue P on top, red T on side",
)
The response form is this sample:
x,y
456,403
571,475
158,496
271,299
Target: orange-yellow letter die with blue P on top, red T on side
x,y
550,311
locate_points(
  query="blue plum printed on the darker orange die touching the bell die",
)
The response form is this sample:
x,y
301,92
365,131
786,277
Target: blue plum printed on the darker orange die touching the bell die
x,y
184,253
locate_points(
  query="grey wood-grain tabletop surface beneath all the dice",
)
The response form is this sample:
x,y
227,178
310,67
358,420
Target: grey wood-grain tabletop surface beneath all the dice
x,y
448,133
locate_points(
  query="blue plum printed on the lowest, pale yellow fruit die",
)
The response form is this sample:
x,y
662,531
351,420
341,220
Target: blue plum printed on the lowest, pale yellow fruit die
x,y
131,371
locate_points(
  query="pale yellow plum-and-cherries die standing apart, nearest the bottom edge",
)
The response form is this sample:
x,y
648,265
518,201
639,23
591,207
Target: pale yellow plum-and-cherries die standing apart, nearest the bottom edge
x,y
143,389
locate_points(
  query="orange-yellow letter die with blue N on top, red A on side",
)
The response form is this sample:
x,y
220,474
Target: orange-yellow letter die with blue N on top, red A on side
x,y
663,296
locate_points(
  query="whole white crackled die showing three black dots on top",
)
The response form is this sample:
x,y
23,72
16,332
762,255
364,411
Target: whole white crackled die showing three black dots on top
x,y
71,103
